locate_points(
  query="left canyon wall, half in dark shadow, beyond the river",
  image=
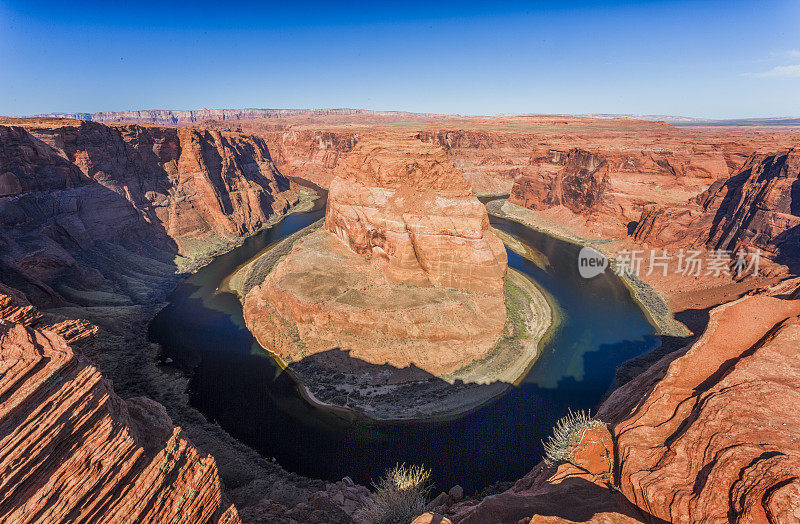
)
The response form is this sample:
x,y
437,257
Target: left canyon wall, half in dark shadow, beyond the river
x,y
68,190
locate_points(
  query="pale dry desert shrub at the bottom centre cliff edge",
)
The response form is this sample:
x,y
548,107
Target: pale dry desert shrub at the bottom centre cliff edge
x,y
399,496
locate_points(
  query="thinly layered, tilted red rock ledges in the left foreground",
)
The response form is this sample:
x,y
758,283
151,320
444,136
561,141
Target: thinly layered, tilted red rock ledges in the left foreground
x,y
72,450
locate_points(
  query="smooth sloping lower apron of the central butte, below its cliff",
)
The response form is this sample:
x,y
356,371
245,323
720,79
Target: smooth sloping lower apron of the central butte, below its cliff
x,y
327,304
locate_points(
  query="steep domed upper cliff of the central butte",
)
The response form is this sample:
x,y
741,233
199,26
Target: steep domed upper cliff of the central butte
x,y
404,204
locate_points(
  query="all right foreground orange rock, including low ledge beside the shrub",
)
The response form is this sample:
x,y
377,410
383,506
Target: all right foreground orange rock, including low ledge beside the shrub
x,y
708,434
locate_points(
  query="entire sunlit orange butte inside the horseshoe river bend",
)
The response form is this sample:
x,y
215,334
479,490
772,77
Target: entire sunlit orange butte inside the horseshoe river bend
x,y
406,272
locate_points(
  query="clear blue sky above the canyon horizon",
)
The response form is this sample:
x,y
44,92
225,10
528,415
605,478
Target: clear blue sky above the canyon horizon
x,y
704,58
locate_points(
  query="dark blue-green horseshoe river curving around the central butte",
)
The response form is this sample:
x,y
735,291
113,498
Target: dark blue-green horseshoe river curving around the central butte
x,y
235,383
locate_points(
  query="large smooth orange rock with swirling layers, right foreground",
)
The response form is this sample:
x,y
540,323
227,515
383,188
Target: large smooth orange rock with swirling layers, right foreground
x,y
710,434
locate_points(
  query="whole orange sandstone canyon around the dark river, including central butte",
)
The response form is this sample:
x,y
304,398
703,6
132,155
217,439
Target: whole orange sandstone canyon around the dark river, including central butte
x,y
98,222
